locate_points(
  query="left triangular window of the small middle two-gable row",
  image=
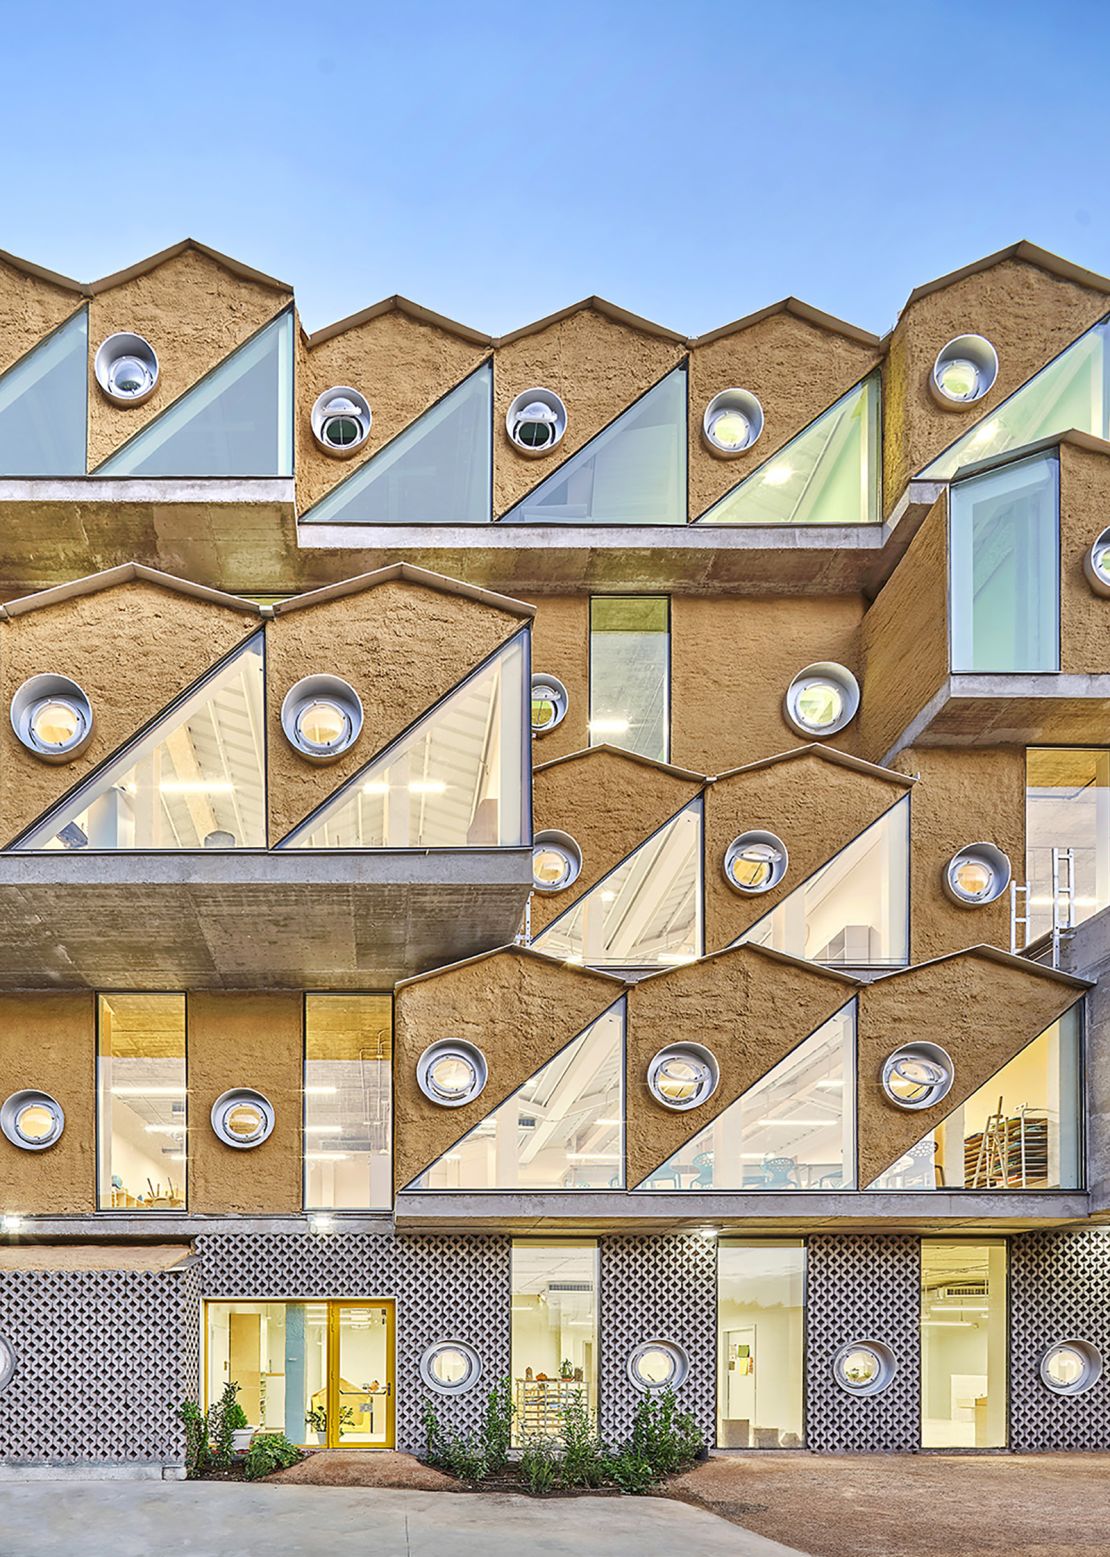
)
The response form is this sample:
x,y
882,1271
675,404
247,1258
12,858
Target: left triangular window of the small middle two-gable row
x,y
644,915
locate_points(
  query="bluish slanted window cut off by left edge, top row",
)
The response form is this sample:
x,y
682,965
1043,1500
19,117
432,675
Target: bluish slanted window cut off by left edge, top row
x,y
44,401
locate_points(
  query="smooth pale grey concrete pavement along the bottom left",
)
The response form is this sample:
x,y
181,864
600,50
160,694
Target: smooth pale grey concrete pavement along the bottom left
x,y
216,1519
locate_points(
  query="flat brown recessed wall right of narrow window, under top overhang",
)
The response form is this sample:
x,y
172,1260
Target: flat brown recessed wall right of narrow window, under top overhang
x,y
732,663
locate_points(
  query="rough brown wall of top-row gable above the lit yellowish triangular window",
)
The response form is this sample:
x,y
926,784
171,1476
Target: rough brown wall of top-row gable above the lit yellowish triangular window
x,y
795,370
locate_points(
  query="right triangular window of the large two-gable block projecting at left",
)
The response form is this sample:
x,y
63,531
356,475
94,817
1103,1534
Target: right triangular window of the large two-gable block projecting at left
x,y
455,781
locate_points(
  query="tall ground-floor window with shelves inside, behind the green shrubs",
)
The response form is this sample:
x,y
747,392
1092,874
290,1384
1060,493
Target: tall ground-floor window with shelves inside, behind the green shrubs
x,y
555,1334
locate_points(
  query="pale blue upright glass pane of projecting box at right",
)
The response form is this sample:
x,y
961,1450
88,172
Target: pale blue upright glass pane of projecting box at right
x,y
1005,569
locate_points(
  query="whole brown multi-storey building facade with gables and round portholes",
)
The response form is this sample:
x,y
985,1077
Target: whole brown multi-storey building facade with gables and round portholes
x,y
578,859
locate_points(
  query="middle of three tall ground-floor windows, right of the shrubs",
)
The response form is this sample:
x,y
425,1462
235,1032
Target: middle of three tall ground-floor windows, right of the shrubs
x,y
760,1344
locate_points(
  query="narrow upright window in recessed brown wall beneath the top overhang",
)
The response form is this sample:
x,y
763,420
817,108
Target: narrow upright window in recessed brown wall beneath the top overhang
x,y
631,673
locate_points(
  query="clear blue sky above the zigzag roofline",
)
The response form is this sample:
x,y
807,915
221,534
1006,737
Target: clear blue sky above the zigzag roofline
x,y
690,161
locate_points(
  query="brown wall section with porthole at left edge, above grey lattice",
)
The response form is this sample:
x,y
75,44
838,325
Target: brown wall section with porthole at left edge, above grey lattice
x,y
51,1042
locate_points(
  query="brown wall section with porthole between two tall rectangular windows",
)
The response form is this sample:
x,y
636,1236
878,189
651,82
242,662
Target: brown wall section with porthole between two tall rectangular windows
x,y
245,1041
